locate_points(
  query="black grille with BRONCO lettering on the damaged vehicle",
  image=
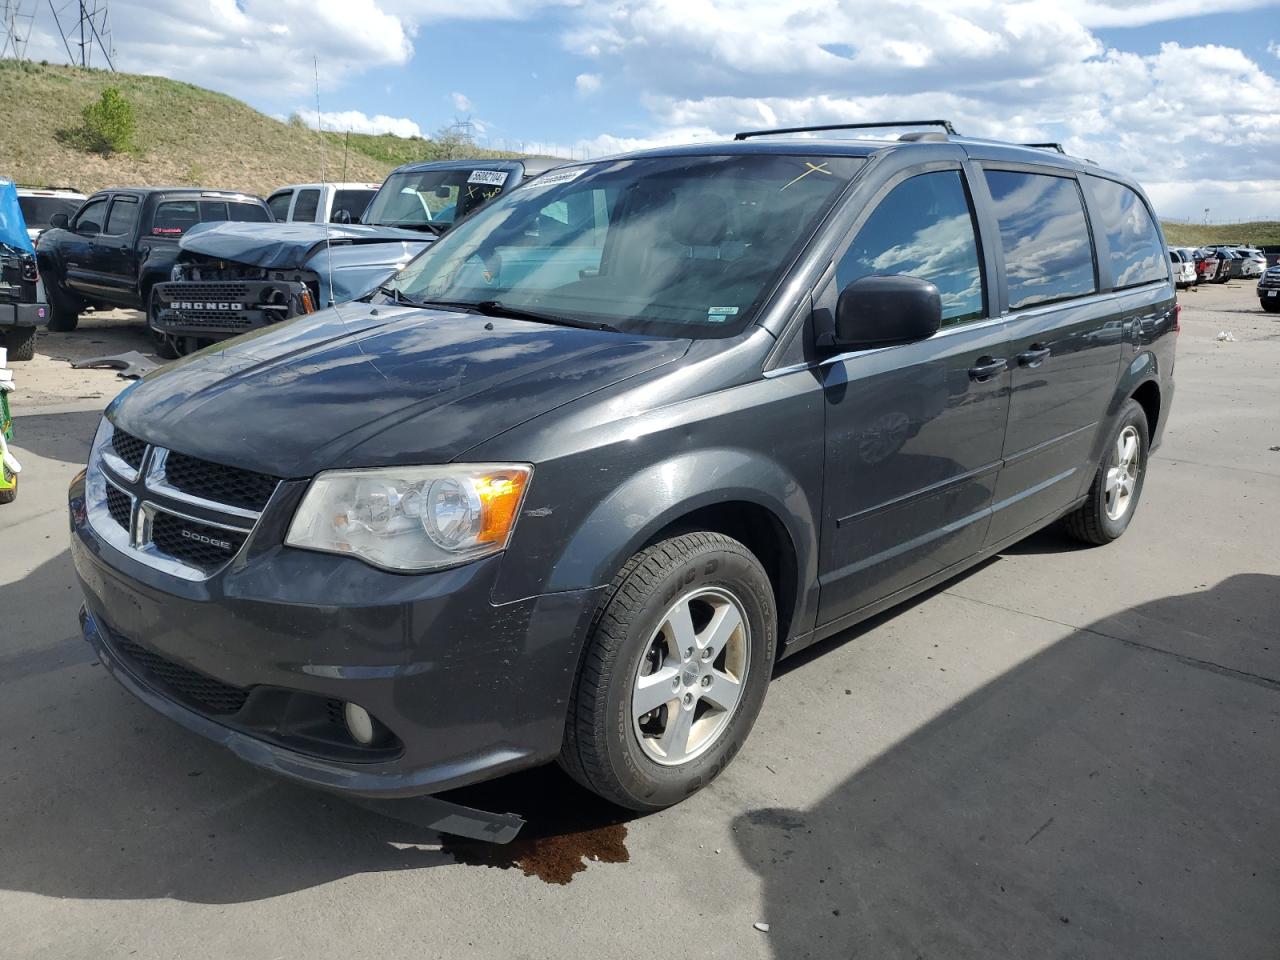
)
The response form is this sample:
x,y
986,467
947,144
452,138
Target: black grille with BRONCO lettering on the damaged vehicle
x,y
226,308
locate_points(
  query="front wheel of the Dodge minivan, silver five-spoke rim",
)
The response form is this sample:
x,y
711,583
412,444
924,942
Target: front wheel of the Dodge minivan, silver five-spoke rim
x,y
607,748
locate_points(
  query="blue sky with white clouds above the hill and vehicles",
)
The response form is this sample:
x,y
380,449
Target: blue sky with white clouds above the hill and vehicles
x,y
1185,100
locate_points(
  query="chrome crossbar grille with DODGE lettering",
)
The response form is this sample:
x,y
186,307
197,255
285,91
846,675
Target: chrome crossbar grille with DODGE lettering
x,y
182,515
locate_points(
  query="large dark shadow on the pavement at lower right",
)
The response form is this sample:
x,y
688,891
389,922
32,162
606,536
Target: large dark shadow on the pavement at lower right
x,y
1103,799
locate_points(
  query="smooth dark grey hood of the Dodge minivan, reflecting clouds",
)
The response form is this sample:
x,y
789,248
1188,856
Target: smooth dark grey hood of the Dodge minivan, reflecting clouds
x,y
374,386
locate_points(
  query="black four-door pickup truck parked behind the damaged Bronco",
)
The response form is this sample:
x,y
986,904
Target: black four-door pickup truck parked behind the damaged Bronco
x,y
124,241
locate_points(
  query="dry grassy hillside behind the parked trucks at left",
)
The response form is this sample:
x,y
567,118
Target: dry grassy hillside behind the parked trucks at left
x,y
186,135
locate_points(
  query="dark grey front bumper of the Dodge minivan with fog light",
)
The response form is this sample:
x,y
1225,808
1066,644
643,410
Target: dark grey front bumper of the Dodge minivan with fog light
x,y
468,689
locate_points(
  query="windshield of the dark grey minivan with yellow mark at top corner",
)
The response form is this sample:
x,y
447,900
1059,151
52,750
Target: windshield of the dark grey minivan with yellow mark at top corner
x,y
685,246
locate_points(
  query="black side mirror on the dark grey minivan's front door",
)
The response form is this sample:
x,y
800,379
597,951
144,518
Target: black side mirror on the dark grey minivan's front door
x,y
881,312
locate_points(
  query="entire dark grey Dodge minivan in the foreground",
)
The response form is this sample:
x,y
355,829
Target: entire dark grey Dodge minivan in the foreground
x,y
591,464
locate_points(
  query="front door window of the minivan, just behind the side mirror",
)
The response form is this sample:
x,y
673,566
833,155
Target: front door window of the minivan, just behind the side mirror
x,y
924,228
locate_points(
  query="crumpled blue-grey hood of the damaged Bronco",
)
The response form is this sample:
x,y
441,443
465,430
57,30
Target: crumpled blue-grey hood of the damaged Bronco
x,y
277,246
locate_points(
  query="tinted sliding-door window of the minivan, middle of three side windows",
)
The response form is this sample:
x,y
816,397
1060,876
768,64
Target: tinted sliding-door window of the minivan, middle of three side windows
x,y
1049,254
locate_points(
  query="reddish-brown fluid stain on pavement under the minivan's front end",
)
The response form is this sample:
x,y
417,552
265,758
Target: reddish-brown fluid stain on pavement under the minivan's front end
x,y
566,828
